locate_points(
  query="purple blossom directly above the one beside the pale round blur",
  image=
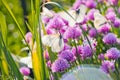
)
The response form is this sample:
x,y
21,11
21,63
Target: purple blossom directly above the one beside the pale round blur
x,y
67,54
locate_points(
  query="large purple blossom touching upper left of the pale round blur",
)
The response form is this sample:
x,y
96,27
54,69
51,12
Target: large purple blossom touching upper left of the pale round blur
x,y
60,65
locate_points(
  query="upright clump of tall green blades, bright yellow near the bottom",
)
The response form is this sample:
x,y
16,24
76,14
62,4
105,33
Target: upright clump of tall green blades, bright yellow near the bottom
x,y
35,14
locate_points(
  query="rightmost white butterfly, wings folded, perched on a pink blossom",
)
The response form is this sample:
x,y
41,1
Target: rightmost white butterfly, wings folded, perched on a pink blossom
x,y
99,20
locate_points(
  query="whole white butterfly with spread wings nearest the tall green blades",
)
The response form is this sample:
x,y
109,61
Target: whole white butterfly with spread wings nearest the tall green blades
x,y
55,41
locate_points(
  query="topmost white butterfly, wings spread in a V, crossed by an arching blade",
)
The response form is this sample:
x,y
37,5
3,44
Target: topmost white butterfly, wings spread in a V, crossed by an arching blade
x,y
77,15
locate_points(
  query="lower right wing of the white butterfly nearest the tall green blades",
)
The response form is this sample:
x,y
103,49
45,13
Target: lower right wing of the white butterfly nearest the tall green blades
x,y
57,45
